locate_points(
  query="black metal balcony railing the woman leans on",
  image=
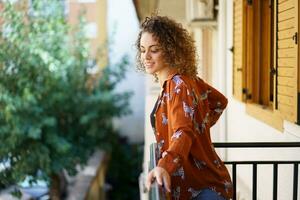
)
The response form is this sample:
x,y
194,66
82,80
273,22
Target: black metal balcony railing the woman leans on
x,y
157,192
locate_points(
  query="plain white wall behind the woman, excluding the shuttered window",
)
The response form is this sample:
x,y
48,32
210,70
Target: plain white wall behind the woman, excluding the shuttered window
x,y
235,124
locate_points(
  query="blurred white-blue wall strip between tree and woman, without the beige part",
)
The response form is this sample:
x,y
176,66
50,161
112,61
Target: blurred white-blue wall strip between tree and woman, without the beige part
x,y
123,30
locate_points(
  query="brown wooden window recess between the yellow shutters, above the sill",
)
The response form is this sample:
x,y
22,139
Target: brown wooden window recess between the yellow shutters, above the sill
x,y
260,70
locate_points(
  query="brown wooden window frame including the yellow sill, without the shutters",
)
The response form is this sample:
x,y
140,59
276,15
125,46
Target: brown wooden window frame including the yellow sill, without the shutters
x,y
265,112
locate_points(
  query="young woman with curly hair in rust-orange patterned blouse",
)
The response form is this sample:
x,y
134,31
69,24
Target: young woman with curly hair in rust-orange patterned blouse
x,y
185,110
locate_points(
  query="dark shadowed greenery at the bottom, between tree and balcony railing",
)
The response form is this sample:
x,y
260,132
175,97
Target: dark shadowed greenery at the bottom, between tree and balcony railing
x,y
124,169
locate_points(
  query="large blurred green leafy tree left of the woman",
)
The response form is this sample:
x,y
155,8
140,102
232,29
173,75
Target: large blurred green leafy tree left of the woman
x,y
50,120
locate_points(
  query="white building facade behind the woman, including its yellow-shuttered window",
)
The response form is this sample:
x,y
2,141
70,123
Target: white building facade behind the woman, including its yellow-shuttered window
x,y
218,45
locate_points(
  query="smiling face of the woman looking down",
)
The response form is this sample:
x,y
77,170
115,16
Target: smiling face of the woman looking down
x,y
151,54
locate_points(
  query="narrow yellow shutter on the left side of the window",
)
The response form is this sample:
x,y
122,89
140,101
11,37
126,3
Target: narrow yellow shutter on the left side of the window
x,y
238,10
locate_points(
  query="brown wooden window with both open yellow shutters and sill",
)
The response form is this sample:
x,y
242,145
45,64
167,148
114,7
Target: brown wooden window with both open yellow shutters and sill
x,y
266,74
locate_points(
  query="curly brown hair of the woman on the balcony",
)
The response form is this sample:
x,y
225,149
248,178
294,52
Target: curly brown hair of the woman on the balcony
x,y
178,46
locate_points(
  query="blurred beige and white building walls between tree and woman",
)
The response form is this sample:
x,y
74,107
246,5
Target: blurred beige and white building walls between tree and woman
x,y
114,32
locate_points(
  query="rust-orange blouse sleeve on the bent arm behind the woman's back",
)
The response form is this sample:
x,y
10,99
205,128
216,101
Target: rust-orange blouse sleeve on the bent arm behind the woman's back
x,y
217,103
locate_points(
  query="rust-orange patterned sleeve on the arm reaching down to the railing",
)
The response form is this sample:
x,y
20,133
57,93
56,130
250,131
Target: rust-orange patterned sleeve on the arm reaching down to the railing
x,y
180,114
